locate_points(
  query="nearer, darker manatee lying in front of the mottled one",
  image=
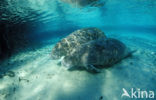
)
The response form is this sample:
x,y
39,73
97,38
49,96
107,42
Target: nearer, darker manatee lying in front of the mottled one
x,y
97,53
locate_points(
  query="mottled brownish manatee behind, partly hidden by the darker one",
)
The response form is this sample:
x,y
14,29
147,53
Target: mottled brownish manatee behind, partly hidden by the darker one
x,y
78,37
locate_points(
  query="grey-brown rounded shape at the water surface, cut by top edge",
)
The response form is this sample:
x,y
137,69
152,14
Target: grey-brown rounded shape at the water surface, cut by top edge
x,y
82,3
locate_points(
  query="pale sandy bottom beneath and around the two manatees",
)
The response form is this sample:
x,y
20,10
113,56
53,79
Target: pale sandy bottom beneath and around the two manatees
x,y
37,77
